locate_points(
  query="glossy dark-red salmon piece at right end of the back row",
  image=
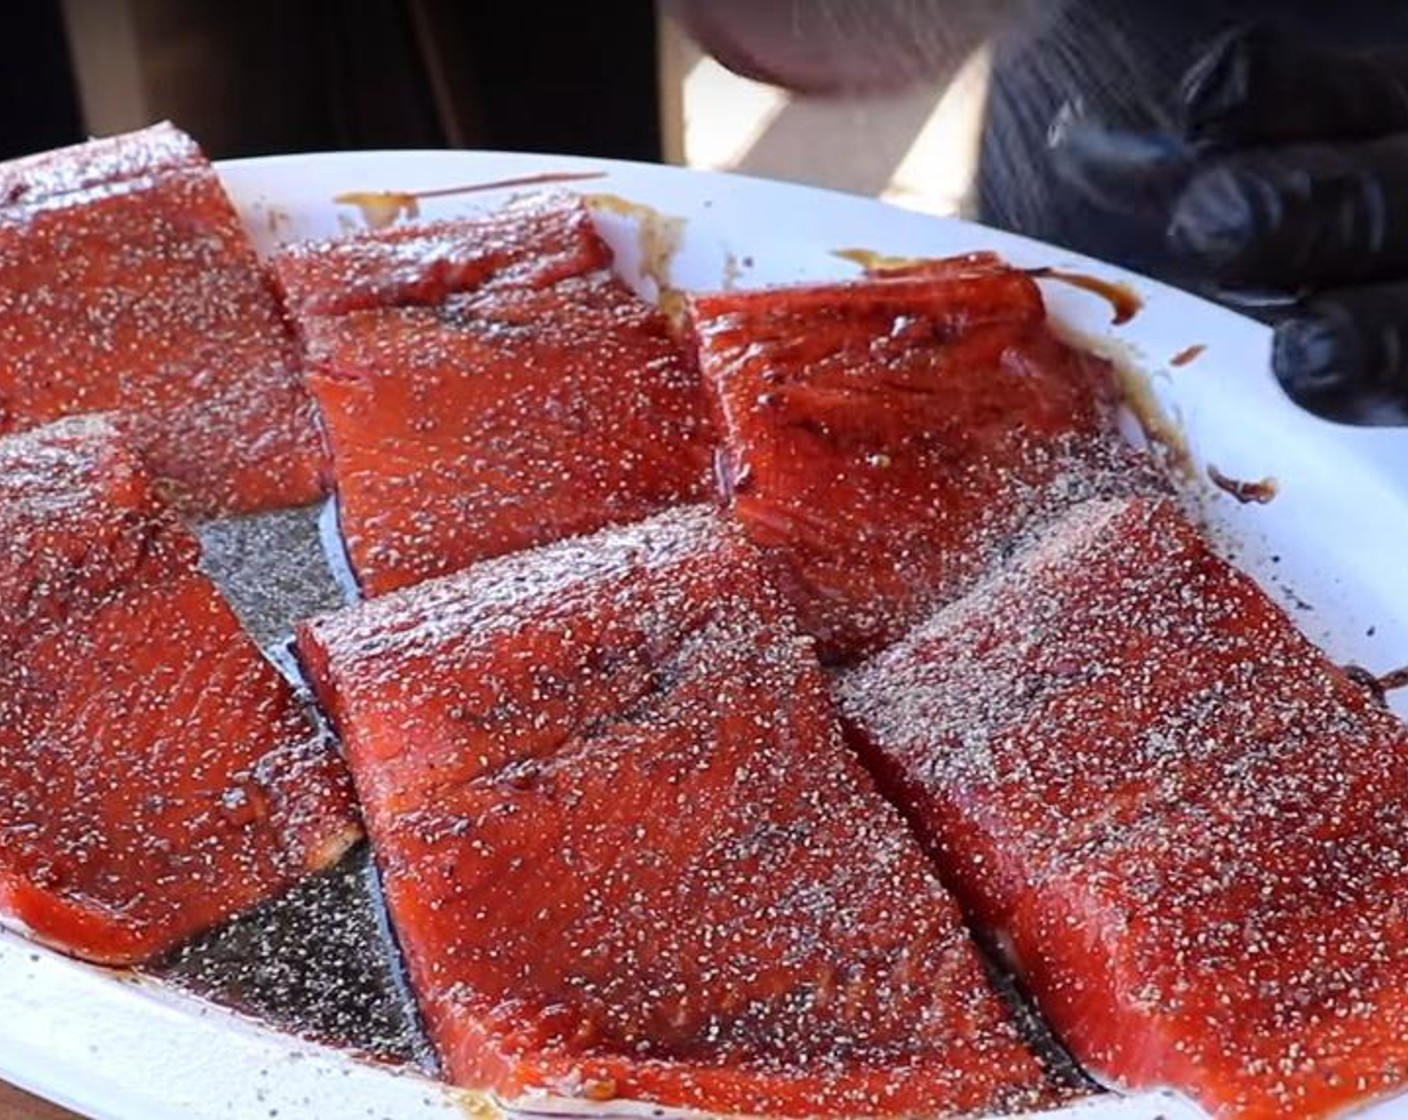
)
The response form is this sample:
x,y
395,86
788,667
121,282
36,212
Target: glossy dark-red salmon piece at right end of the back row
x,y
885,439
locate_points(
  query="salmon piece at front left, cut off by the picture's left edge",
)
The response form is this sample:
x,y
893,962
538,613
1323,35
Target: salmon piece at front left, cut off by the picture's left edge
x,y
157,774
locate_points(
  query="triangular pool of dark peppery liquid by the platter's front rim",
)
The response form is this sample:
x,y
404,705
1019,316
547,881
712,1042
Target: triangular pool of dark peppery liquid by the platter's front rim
x,y
318,963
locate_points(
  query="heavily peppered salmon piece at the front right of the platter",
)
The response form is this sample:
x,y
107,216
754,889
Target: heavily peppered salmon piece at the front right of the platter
x,y
1183,816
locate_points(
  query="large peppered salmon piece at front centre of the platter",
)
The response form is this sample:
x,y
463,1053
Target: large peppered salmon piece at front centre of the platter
x,y
627,854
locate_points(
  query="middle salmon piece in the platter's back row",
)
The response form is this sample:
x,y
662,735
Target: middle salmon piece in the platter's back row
x,y
488,387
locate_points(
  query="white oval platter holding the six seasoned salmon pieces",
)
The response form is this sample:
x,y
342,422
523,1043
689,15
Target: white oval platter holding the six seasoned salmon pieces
x,y
1333,546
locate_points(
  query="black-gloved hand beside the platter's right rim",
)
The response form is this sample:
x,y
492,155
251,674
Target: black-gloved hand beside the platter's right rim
x,y
1283,181
